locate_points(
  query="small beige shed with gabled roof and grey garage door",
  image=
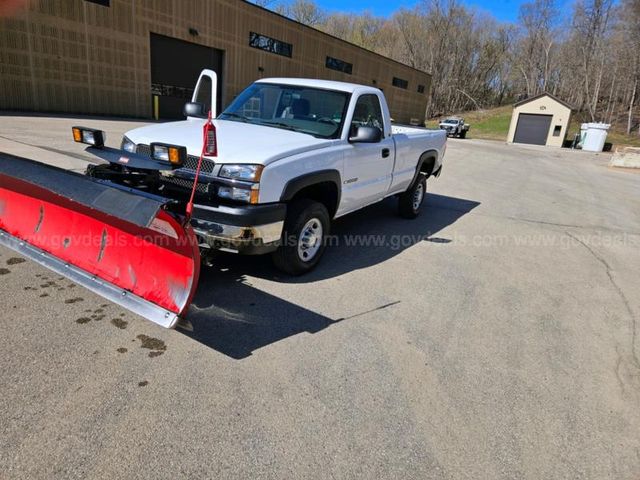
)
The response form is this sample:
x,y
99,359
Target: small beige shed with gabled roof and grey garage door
x,y
540,120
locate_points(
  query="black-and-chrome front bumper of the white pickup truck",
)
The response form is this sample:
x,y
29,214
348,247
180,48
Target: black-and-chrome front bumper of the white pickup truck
x,y
250,229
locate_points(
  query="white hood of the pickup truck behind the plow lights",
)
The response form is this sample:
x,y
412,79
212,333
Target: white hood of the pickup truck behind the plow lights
x,y
238,142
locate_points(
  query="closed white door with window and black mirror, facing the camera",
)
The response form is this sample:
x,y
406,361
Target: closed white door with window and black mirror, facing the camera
x,y
368,167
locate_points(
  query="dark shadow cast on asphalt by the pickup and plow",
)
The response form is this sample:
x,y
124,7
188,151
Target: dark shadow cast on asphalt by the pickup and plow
x,y
234,318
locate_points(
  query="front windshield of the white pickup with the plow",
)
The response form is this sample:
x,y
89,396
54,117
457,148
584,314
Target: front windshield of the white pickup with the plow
x,y
307,110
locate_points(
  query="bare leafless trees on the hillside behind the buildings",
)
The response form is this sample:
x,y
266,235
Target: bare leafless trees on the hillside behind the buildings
x,y
587,55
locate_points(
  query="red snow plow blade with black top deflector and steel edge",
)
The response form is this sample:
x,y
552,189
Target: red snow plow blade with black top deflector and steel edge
x,y
120,243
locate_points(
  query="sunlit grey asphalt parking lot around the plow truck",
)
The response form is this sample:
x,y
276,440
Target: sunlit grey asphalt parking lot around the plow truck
x,y
495,337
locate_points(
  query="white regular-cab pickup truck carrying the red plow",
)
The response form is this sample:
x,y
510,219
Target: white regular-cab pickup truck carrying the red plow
x,y
292,154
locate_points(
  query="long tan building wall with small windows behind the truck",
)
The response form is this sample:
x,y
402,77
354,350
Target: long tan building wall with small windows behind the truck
x,y
76,56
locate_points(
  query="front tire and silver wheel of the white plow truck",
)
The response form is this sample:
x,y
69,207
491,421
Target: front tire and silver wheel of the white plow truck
x,y
308,217
